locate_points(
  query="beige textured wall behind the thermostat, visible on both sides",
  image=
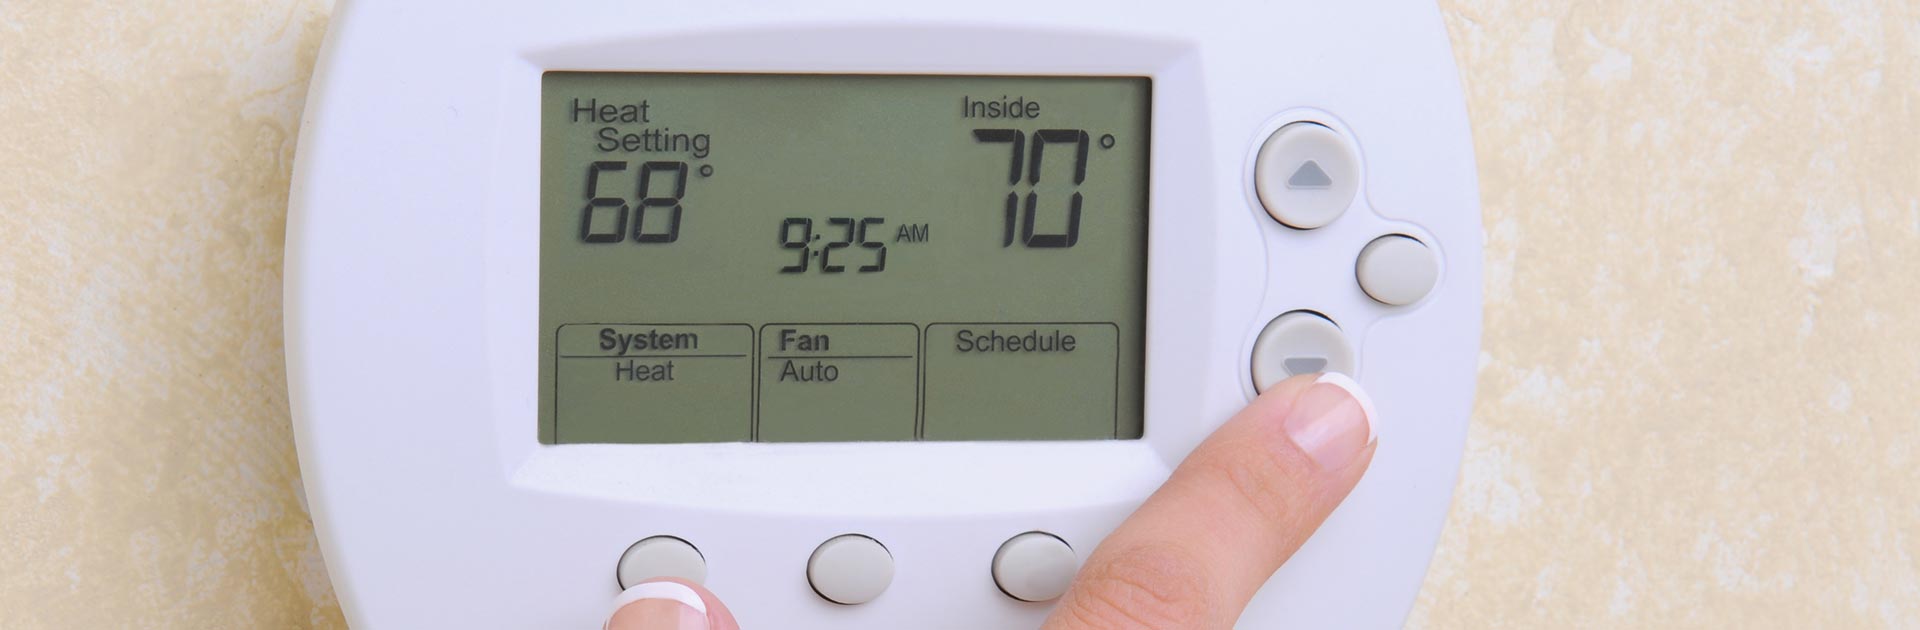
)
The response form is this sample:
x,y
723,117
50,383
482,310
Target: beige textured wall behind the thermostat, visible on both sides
x,y
1696,406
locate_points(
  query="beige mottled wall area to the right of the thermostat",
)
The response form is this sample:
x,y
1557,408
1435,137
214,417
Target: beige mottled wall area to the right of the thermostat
x,y
1698,395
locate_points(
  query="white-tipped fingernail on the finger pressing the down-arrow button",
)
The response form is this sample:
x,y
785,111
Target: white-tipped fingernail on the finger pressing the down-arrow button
x,y
1333,422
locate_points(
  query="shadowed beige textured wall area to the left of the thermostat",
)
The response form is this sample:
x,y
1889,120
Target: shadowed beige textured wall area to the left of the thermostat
x,y
147,462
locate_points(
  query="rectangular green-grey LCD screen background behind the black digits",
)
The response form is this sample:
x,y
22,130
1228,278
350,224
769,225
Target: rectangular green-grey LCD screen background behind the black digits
x,y
844,147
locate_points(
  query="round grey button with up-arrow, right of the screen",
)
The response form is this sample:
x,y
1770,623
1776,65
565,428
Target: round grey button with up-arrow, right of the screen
x,y
1307,176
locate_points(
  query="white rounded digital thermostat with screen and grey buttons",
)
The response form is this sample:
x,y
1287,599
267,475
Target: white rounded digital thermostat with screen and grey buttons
x,y
863,314
